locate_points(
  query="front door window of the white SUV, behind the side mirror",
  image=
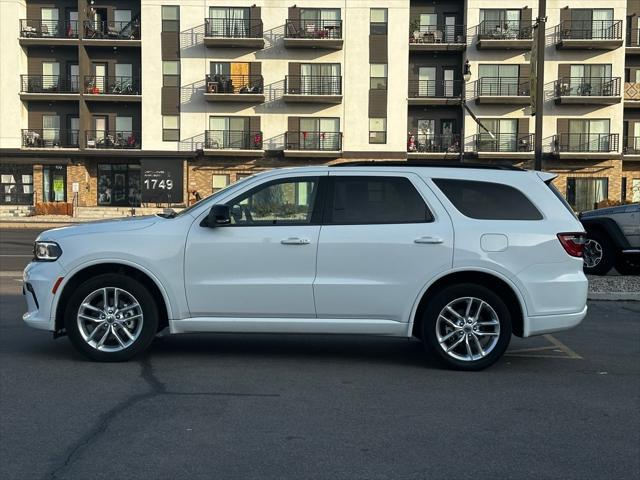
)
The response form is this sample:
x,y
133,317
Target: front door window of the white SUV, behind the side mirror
x,y
283,202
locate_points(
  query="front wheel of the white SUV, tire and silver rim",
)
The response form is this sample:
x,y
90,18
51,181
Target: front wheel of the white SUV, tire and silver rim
x,y
90,328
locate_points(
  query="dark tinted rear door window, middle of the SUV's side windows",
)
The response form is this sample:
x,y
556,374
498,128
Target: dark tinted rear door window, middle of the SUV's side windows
x,y
358,200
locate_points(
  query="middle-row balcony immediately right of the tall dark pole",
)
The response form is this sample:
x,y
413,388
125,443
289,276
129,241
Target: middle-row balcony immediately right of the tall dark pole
x,y
587,91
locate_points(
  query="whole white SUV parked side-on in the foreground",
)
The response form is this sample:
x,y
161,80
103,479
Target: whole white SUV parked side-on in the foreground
x,y
458,257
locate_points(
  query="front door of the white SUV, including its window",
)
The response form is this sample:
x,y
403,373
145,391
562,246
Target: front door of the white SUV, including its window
x,y
263,263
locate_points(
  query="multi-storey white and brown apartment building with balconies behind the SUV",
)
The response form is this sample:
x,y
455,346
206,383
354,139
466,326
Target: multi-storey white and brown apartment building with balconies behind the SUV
x,y
134,104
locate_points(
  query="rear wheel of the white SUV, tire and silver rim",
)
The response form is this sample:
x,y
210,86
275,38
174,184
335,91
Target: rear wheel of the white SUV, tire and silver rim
x,y
494,319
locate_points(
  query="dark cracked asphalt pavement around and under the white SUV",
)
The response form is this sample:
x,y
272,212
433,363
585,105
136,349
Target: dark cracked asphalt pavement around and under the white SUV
x,y
561,406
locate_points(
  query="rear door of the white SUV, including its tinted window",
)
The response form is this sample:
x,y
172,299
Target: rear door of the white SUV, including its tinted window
x,y
384,236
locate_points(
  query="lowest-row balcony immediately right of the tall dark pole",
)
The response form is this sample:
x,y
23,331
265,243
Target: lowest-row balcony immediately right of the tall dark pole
x,y
586,145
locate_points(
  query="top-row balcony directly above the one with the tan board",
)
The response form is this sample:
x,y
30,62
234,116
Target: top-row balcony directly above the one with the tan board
x,y
236,33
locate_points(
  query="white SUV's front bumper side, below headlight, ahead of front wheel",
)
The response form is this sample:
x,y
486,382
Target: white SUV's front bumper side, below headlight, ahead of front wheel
x,y
38,281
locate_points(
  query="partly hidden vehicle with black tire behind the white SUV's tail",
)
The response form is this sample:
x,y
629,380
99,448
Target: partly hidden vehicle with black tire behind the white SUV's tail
x,y
613,240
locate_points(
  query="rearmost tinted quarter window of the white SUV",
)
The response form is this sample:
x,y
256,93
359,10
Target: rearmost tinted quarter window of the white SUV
x,y
488,201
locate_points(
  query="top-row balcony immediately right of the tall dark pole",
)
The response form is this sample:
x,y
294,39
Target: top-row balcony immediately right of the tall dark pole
x,y
588,35
